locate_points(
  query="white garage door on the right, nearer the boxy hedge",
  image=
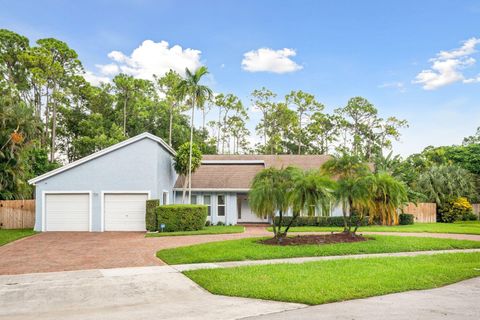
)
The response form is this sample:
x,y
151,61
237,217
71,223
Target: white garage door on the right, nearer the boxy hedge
x,y
125,212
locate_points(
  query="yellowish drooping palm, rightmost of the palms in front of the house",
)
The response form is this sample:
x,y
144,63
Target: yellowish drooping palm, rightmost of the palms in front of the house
x,y
386,195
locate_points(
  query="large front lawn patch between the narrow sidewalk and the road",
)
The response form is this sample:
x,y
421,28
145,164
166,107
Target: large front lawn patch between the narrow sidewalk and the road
x,y
338,280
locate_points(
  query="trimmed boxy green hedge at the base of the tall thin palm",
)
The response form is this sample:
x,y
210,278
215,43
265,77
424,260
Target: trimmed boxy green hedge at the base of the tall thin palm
x,y
182,217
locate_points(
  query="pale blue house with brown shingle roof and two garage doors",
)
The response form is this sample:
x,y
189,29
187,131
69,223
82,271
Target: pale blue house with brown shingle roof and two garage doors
x,y
107,190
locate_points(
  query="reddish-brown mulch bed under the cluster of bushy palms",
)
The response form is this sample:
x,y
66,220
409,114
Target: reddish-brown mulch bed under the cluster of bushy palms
x,y
315,239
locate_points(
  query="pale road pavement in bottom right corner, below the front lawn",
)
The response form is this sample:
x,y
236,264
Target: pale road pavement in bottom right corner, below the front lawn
x,y
458,301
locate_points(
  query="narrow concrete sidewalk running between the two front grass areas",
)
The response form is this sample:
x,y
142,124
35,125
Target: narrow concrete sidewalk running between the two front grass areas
x,y
230,264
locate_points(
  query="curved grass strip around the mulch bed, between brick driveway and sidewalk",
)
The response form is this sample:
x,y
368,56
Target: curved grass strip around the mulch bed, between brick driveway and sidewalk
x,y
250,249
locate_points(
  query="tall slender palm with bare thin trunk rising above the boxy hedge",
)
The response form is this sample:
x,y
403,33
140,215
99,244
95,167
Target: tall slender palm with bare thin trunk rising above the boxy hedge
x,y
197,94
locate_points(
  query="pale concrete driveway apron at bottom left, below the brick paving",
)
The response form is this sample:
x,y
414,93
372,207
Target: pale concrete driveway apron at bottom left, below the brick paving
x,y
129,293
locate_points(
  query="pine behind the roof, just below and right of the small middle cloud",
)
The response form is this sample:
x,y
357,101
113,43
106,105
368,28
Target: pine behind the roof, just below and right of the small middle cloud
x,y
305,104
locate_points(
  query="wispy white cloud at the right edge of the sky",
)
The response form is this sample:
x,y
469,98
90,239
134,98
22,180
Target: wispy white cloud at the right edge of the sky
x,y
447,67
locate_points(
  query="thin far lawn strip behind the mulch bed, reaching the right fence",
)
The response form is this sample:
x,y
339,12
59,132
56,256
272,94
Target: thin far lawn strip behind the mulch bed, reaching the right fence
x,y
472,227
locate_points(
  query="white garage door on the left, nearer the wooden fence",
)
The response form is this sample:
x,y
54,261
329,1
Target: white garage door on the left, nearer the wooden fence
x,y
67,212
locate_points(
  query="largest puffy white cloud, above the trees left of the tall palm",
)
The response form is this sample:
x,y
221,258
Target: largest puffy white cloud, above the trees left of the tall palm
x,y
148,59
